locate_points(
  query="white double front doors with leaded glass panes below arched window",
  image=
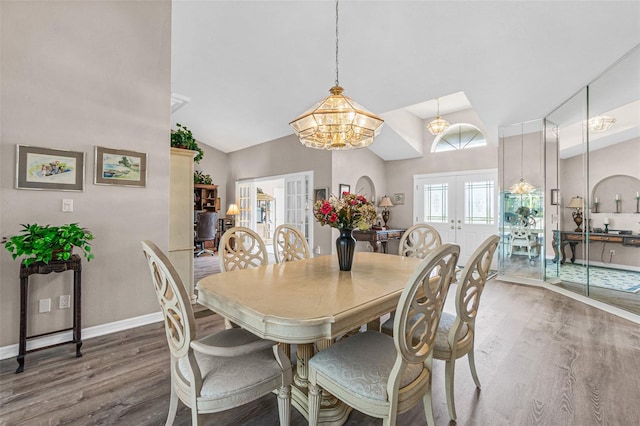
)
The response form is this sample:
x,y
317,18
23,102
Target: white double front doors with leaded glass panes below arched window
x,y
461,206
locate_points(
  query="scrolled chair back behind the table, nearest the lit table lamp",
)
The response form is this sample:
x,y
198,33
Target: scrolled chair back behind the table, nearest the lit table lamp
x,y
241,248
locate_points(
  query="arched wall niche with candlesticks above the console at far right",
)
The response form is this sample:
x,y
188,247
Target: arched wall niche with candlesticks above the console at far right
x,y
625,186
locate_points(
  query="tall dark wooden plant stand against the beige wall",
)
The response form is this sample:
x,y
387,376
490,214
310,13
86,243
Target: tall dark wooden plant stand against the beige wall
x,y
73,264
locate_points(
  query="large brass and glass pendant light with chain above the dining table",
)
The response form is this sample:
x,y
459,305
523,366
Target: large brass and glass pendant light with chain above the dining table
x,y
337,122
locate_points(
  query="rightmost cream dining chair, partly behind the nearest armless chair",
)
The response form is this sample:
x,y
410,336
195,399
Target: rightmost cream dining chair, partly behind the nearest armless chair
x,y
456,333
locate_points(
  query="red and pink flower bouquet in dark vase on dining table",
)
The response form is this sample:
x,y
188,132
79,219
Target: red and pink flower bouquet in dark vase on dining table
x,y
346,214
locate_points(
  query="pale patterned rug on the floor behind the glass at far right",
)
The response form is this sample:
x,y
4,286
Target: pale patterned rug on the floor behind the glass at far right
x,y
614,279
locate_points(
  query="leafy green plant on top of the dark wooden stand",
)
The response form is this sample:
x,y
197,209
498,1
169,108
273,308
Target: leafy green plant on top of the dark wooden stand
x,y
39,243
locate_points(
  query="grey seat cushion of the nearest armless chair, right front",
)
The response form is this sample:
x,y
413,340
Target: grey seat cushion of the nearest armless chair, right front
x,y
362,364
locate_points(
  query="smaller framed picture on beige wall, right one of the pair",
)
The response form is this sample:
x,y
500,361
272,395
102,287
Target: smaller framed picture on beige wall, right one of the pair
x,y
120,167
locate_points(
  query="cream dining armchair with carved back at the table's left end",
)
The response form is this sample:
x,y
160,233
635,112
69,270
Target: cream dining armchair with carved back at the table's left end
x,y
218,372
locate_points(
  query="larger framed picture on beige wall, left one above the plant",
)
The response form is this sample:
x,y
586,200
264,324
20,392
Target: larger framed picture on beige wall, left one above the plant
x,y
47,168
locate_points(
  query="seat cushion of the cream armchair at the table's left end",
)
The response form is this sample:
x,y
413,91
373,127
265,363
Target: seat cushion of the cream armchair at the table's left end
x,y
223,377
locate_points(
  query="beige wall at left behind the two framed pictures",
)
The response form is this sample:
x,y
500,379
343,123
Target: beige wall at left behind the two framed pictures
x,y
76,75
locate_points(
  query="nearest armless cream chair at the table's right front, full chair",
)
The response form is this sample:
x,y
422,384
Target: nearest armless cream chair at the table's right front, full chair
x,y
384,376
